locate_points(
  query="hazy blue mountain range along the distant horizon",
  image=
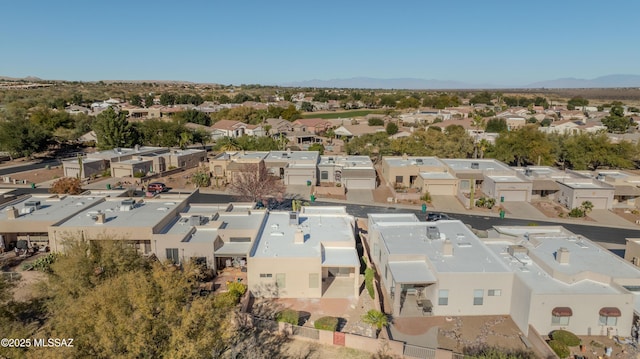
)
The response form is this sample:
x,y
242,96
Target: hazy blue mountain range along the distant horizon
x,y
608,81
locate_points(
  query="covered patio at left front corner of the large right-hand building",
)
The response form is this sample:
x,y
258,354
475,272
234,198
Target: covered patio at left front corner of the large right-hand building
x,y
409,292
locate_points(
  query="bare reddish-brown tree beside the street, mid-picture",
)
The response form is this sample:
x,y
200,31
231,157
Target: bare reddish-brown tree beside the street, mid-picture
x,y
253,183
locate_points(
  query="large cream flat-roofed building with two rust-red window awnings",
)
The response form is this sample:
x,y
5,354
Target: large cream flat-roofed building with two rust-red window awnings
x,y
545,277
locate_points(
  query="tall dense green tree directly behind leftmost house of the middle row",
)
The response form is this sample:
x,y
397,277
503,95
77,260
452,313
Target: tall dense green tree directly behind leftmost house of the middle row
x,y
113,130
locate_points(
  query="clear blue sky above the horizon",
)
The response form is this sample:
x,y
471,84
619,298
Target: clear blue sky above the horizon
x,y
272,42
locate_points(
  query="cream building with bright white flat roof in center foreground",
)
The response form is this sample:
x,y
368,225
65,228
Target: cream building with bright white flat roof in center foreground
x,y
310,254
